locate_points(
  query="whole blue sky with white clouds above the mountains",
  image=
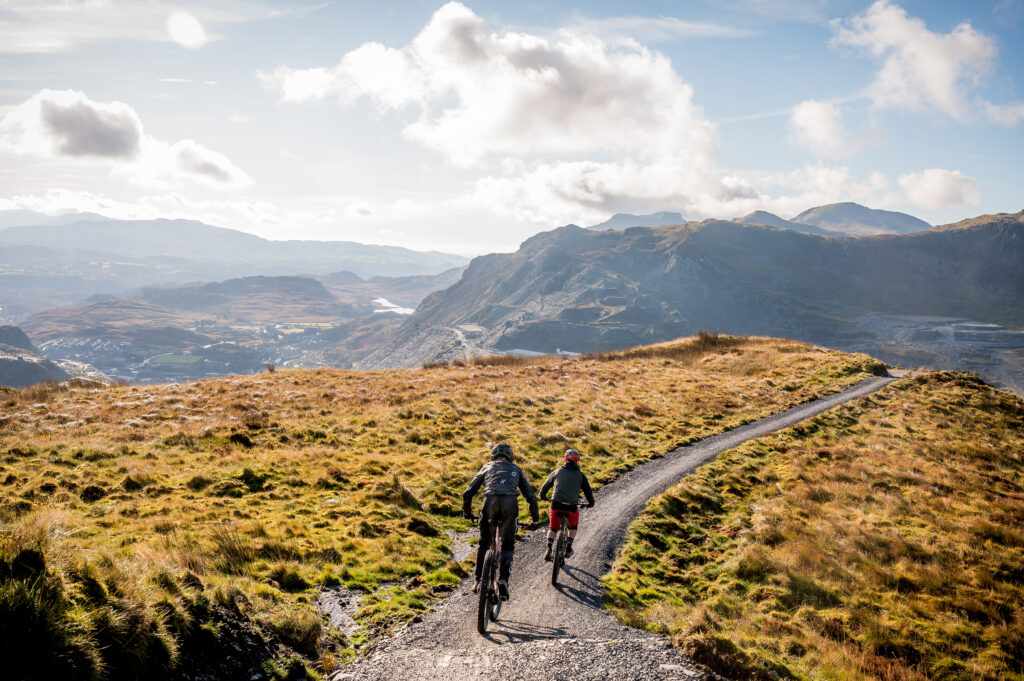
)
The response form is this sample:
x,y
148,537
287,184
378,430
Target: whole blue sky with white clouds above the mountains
x,y
470,127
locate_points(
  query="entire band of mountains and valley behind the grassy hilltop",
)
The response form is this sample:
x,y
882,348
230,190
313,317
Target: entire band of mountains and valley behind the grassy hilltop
x,y
916,299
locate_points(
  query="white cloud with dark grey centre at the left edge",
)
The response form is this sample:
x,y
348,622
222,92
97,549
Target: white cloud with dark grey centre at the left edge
x,y
66,125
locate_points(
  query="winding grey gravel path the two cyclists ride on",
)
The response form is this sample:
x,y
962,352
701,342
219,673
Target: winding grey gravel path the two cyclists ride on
x,y
565,633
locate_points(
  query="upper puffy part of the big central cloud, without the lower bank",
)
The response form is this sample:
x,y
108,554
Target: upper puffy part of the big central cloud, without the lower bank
x,y
484,95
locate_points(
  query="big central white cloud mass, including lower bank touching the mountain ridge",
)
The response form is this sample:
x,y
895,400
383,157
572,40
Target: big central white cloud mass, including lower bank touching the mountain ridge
x,y
566,125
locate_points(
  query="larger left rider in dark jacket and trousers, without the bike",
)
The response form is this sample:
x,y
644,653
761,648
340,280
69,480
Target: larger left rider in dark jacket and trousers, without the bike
x,y
502,482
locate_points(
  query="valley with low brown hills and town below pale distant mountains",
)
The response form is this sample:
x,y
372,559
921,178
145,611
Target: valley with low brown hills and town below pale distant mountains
x,y
236,326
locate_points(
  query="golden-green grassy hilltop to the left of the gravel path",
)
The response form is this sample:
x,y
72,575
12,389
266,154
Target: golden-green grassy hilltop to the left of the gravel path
x,y
146,529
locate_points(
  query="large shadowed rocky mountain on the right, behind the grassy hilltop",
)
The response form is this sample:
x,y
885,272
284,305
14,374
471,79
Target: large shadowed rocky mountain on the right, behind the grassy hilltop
x,y
579,290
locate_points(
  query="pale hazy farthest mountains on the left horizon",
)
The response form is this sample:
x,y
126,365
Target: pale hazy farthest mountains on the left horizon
x,y
55,263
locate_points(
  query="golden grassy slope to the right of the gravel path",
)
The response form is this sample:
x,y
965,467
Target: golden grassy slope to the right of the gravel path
x,y
882,540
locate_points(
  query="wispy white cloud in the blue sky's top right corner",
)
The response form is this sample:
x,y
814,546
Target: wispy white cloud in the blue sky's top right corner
x,y
921,70
